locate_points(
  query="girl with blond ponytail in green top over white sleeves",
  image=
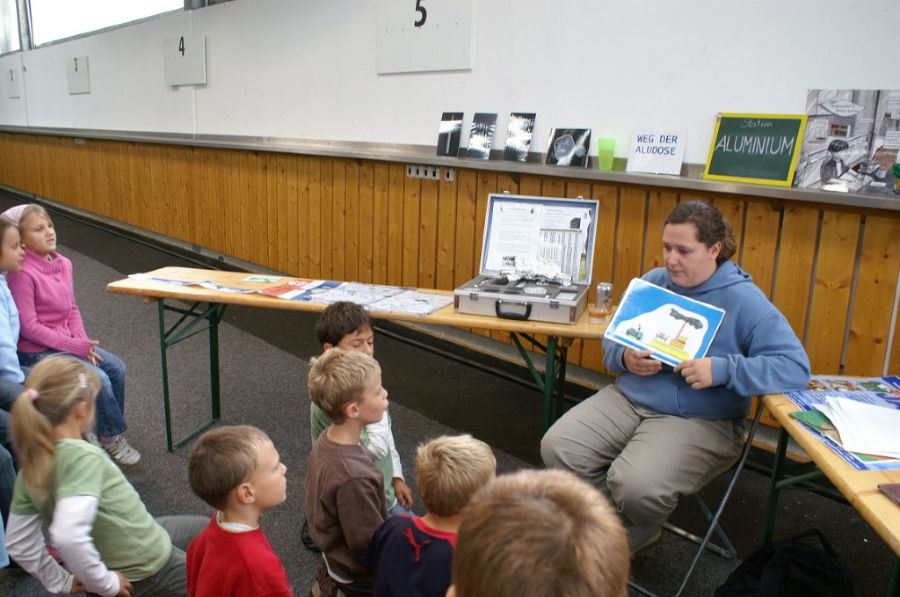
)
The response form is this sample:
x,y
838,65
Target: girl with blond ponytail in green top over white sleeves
x,y
93,516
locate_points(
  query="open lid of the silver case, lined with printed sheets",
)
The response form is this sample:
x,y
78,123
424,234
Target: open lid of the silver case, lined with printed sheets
x,y
563,231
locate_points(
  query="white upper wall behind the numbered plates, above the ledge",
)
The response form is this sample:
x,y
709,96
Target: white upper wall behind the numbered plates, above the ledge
x,y
306,69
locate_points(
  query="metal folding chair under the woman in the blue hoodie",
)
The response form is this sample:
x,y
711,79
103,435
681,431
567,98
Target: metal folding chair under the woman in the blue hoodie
x,y
704,543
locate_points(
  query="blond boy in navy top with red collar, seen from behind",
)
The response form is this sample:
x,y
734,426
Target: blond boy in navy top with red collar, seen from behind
x,y
412,555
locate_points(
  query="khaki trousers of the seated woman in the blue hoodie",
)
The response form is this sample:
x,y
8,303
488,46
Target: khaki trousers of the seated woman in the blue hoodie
x,y
642,460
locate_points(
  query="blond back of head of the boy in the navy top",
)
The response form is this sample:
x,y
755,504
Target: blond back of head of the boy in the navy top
x,y
449,469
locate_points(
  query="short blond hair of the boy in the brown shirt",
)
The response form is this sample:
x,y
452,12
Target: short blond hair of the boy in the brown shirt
x,y
338,378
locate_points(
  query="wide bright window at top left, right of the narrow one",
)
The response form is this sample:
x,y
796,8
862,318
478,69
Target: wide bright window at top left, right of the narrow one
x,y
59,19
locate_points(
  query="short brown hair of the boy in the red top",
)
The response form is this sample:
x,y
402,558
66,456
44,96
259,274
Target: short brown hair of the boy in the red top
x,y
222,460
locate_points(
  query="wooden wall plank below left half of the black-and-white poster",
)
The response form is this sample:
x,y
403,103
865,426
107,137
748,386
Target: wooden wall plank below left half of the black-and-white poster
x,y
831,292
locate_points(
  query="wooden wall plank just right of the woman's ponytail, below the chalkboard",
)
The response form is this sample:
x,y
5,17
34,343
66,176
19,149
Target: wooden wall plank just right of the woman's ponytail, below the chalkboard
x,y
760,247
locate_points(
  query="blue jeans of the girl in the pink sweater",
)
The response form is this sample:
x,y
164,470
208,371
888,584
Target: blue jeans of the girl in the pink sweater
x,y
110,410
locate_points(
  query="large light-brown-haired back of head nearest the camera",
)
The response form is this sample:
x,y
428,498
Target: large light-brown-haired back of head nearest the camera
x,y
540,533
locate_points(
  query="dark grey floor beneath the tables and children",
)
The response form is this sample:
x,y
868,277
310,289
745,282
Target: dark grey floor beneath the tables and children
x,y
264,358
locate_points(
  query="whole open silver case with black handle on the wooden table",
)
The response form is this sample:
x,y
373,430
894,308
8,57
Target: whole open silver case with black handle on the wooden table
x,y
536,259
